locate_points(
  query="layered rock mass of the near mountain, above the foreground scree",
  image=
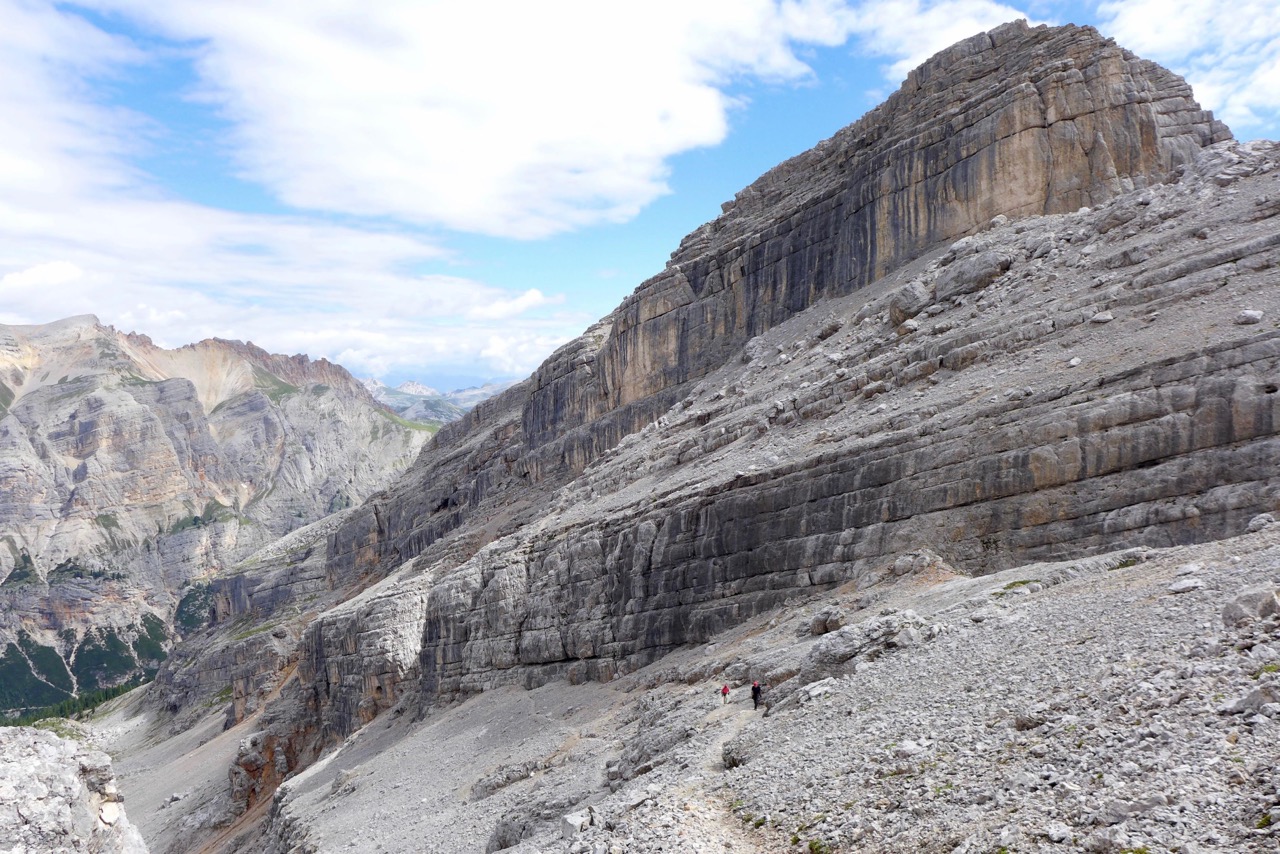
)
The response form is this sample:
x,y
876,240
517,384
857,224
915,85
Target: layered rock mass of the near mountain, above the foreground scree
x,y
1053,385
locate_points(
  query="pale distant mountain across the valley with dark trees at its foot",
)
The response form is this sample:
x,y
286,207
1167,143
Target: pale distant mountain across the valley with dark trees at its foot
x,y
129,473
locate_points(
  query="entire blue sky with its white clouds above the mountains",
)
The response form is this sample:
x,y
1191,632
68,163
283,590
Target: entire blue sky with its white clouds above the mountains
x,y
449,191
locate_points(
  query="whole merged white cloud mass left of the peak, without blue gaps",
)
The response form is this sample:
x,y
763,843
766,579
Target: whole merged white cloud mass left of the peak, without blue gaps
x,y
381,129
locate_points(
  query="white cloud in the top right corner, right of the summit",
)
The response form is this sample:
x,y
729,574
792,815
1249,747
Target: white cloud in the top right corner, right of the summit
x,y
1228,52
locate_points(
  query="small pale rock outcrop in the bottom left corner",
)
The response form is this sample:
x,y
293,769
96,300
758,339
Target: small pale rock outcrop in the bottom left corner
x,y
60,796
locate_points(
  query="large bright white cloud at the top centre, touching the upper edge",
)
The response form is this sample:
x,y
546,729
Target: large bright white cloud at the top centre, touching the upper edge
x,y
500,117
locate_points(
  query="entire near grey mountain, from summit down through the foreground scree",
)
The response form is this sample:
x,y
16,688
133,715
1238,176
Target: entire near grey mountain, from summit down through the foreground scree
x,y
1025,314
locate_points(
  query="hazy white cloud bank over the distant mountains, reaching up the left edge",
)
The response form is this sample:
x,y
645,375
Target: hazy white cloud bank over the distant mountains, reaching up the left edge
x,y
83,232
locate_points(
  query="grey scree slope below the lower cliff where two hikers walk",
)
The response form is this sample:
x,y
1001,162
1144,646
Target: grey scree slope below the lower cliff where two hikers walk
x,y
1121,704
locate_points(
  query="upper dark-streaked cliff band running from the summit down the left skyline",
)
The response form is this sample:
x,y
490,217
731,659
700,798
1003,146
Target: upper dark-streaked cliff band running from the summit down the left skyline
x,y
1014,122
